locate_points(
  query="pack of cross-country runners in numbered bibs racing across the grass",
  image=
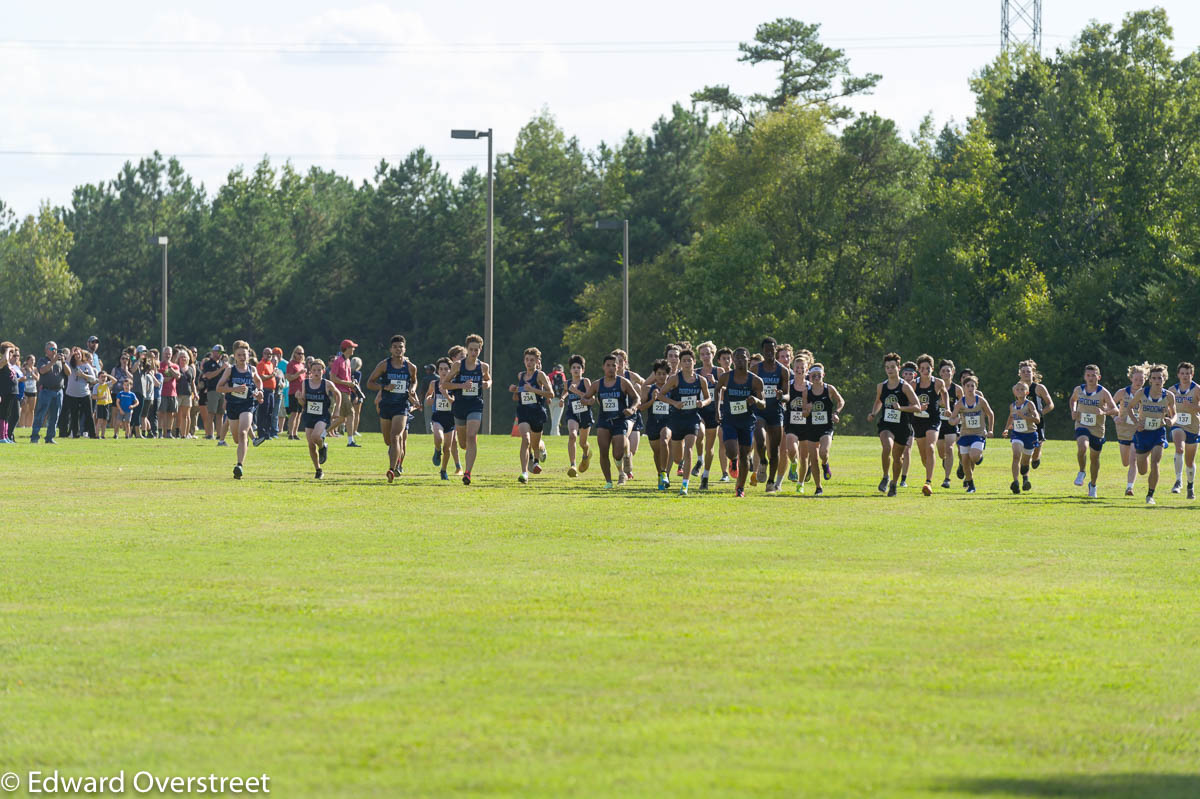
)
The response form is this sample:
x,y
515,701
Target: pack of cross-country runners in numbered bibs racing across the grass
x,y
773,412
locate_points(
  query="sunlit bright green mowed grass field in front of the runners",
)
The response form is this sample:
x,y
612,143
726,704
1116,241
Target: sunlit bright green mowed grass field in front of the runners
x,y
352,639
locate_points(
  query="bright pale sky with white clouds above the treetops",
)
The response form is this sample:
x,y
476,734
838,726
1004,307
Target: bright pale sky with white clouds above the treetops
x,y
87,87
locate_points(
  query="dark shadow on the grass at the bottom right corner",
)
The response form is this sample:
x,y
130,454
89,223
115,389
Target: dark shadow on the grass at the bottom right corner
x,y
1083,786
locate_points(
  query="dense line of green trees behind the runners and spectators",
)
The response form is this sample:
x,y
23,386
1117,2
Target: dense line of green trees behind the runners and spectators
x,y
1058,223
